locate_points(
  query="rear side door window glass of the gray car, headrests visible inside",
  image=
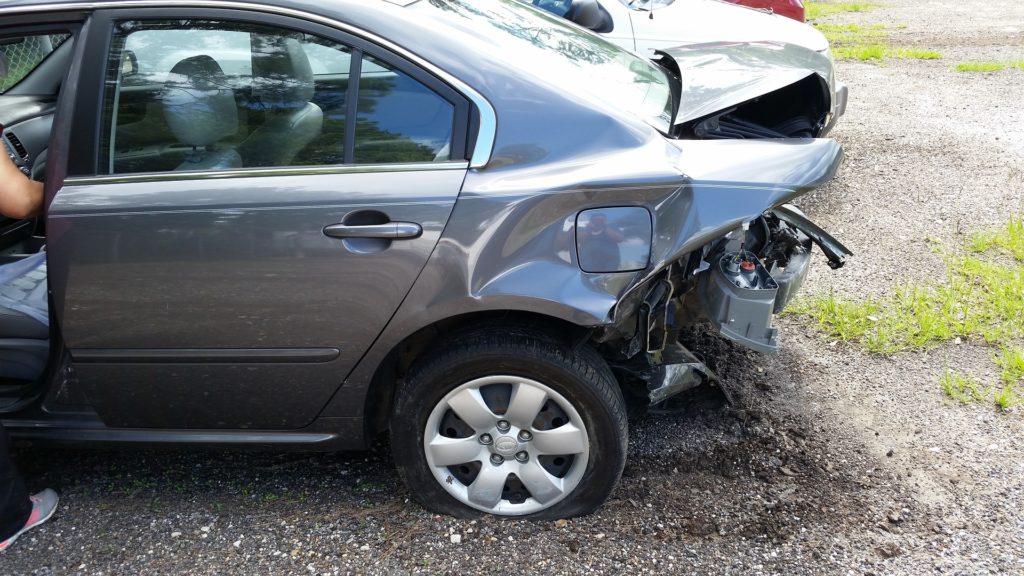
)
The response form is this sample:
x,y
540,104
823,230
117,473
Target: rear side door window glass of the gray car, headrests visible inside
x,y
199,96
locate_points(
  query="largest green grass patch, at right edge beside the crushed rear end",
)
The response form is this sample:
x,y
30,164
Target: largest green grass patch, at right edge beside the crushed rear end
x,y
983,300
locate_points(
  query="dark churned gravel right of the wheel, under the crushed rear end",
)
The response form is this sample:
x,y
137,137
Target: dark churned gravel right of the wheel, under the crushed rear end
x,y
758,468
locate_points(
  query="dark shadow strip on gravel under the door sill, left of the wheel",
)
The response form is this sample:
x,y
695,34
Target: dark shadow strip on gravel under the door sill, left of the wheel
x,y
259,485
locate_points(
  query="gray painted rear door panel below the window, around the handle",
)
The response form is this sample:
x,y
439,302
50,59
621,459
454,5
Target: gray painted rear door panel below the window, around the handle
x,y
233,264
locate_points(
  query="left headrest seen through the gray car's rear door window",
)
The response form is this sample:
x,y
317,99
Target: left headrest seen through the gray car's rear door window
x,y
199,105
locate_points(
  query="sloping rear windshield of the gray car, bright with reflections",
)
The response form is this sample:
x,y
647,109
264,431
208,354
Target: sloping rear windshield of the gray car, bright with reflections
x,y
564,55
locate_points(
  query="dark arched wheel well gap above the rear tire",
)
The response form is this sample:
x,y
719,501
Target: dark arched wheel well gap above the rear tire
x,y
380,397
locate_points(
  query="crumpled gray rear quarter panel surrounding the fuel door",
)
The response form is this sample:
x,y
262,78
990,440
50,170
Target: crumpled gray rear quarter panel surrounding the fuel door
x,y
506,249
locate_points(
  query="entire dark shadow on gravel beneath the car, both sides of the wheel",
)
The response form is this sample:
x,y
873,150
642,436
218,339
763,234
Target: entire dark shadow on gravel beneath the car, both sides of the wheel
x,y
708,475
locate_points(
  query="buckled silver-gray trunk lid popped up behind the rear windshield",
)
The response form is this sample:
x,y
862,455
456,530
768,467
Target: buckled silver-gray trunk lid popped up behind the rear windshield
x,y
718,75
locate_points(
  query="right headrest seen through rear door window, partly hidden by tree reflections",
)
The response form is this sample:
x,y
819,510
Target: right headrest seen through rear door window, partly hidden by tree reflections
x,y
283,78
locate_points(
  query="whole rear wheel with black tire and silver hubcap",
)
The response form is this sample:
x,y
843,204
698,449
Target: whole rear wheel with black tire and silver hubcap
x,y
510,424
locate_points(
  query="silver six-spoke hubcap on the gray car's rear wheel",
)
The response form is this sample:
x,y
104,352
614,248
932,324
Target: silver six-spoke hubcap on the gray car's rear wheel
x,y
506,445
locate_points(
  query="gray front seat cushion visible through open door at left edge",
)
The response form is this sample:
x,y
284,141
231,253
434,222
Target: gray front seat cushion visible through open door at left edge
x,y
25,328
